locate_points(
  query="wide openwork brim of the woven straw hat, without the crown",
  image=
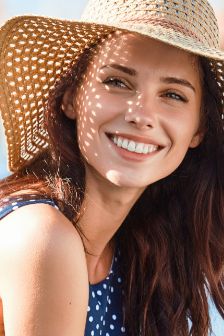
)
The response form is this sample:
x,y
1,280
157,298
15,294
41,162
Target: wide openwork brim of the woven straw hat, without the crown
x,y
35,51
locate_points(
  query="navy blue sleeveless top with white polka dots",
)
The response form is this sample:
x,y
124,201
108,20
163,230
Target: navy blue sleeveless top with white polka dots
x,y
104,313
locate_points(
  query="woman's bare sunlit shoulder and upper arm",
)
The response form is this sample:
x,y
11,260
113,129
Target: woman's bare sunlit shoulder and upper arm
x,y
43,274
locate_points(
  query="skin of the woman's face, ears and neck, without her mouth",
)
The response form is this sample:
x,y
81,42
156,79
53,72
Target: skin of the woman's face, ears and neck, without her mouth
x,y
150,105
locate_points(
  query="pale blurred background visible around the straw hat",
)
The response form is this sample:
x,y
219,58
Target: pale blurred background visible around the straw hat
x,y
70,9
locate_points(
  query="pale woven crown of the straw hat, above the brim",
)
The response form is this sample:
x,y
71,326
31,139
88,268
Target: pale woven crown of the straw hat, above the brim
x,y
192,18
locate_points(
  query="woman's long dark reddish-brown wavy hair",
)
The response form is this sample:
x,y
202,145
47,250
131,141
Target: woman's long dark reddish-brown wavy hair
x,y
172,241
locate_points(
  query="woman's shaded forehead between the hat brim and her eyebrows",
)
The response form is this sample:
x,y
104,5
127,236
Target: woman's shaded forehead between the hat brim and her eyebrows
x,y
142,51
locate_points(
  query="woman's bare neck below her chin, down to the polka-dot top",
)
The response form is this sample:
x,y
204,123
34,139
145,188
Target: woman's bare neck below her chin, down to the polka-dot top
x,y
104,209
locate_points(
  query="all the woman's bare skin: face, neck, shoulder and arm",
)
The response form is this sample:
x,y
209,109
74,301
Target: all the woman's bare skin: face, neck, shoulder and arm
x,y
38,298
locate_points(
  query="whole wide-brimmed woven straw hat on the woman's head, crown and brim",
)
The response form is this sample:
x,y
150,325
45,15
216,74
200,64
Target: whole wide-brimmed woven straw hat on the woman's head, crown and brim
x,y
35,51
